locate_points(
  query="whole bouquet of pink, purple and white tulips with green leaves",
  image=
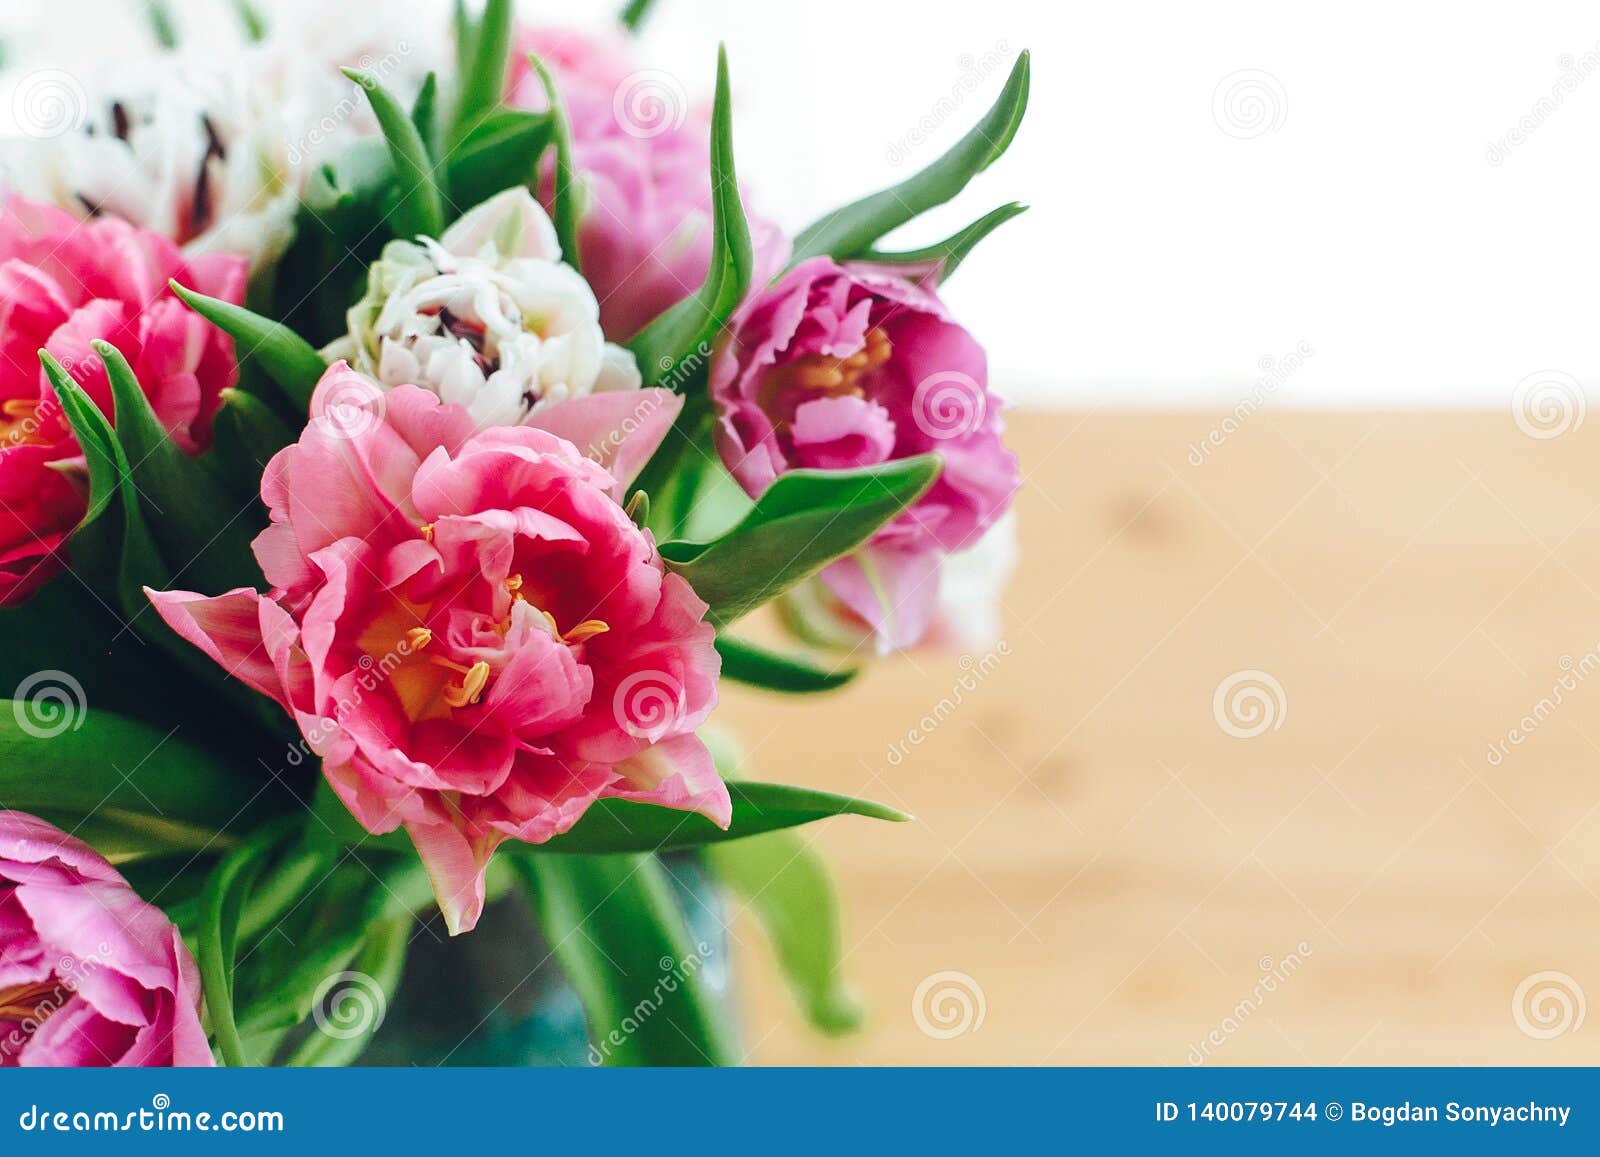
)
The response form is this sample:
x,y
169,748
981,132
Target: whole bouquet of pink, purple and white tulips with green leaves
x,y
390,460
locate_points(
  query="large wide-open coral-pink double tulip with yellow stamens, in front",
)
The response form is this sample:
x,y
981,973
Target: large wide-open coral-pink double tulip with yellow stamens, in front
x,y
470,631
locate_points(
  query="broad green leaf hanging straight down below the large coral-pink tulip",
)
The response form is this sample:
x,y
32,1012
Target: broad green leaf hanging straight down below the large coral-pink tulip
x,y
617,931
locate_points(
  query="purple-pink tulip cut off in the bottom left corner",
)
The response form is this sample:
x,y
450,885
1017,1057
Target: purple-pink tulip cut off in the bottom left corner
x,y
90,974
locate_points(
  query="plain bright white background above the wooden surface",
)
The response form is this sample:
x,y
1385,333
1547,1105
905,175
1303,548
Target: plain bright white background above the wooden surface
x,y
1169,254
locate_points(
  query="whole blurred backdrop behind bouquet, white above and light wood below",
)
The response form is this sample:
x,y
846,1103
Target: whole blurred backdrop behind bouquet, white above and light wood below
x,y
1287,751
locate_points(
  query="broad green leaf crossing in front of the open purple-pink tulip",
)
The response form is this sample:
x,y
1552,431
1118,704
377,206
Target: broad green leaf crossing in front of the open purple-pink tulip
x,y
799,526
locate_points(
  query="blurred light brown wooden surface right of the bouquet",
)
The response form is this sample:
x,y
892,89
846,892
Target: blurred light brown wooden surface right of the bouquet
x,y
1110,860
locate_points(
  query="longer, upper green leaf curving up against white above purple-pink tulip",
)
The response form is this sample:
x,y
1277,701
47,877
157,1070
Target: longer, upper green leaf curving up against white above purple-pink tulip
x,y
850,231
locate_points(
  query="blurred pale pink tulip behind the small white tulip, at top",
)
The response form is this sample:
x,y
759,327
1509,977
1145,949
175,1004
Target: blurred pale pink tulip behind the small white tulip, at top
x,y
644,158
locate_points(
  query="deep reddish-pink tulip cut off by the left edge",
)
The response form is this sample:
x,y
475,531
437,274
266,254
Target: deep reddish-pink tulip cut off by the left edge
x,y
63,286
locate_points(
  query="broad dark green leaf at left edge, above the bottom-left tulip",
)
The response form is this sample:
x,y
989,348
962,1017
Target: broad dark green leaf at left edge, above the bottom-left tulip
x,y
65,756
